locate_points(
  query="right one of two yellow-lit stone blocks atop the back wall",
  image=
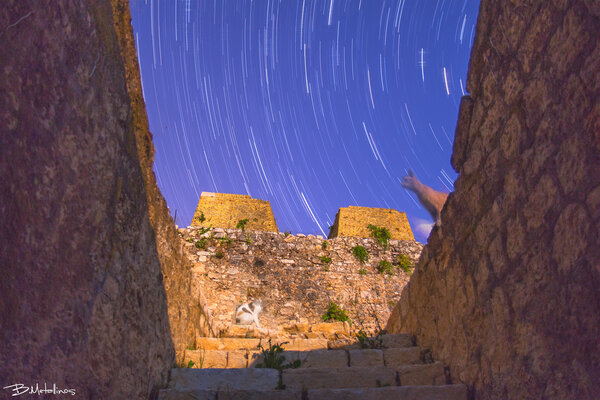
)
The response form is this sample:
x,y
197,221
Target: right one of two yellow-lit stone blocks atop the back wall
x,y
353,221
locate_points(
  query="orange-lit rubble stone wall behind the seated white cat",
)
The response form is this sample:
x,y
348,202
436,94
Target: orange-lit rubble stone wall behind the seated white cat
x,y
293,277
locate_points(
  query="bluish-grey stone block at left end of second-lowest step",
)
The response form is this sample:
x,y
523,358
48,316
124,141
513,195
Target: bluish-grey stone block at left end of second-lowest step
x,y
219,379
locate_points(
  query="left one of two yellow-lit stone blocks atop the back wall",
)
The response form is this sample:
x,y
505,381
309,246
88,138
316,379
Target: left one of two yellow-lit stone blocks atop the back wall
x,y
223,210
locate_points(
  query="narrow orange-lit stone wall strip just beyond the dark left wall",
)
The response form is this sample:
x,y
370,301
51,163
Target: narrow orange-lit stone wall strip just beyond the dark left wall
x,y
185,312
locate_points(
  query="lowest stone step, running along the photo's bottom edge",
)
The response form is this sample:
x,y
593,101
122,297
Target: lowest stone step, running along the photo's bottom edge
x,y
445,392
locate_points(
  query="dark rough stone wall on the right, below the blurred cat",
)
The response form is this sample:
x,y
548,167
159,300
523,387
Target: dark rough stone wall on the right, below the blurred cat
x,y
506,292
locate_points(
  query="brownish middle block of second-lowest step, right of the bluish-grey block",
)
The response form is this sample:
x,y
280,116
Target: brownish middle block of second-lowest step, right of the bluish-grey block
x,y
319,378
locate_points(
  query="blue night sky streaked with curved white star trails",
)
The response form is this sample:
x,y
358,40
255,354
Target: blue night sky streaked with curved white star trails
x,y
310,104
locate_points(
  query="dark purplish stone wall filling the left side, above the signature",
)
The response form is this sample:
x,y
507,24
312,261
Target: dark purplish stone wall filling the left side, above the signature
x,y
82,301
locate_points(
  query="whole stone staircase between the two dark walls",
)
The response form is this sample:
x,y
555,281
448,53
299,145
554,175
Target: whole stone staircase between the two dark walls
x,y
332,366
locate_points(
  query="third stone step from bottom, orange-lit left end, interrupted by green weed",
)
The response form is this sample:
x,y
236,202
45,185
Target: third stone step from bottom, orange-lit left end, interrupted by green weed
x,y
309,359
